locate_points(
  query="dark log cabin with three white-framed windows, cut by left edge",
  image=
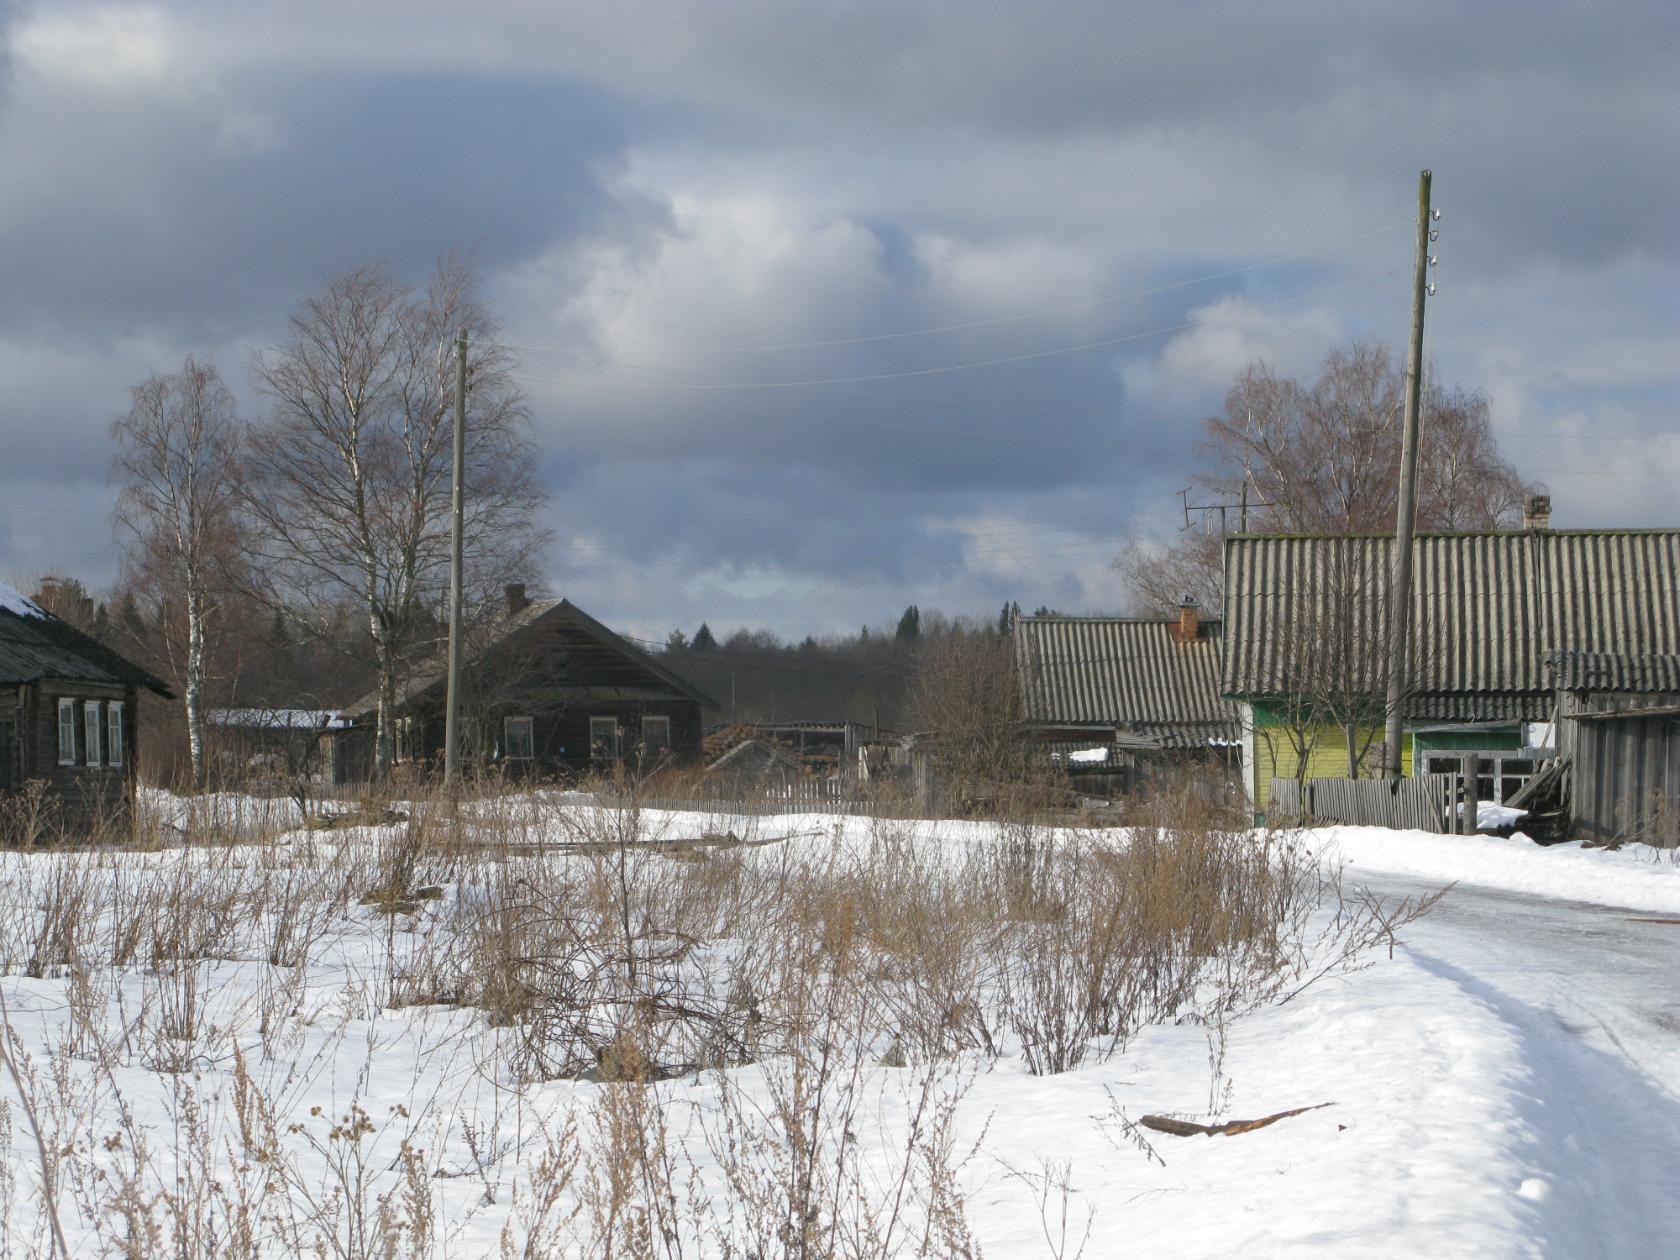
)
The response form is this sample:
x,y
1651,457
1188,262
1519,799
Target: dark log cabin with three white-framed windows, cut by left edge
x,y
68,722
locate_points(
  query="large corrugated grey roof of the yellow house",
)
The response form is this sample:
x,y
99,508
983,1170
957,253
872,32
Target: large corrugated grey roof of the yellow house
x,y
1488,609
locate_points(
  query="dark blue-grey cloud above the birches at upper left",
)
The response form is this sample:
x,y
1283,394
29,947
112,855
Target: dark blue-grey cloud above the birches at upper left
x,y
192,221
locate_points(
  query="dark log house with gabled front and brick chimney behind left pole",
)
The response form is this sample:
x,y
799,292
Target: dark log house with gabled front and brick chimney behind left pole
x,y
547,693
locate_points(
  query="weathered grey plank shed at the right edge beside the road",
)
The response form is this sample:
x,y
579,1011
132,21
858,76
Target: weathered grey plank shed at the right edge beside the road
x,y
1619,728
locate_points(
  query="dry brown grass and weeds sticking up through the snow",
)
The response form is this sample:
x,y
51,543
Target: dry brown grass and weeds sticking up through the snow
x,y
802,989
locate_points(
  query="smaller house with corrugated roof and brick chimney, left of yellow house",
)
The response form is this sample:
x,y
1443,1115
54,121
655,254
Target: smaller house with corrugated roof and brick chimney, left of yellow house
x,y
1115,698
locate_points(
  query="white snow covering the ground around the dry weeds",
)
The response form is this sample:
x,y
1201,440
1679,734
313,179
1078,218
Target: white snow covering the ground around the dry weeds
x,y
1503,1083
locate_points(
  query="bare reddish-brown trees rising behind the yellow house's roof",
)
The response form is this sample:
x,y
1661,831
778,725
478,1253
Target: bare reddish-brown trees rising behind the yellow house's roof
x,y
1323,458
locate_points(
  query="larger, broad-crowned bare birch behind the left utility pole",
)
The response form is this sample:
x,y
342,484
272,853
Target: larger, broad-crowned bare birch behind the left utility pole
x,y
350,476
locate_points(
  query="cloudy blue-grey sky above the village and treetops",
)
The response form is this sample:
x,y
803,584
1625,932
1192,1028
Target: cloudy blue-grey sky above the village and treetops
x,y
671,199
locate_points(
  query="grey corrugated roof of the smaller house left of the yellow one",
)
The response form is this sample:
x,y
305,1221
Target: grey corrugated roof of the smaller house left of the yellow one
x,y
1126,673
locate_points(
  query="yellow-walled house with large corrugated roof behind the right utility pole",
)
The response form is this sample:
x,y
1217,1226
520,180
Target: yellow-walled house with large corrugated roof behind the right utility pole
x,y
1308,633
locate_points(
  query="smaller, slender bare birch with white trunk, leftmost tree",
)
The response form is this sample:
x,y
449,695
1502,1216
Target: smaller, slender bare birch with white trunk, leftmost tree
x,y
177,468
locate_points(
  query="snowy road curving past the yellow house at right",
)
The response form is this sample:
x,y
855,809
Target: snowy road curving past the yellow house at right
x,y
1593,992
